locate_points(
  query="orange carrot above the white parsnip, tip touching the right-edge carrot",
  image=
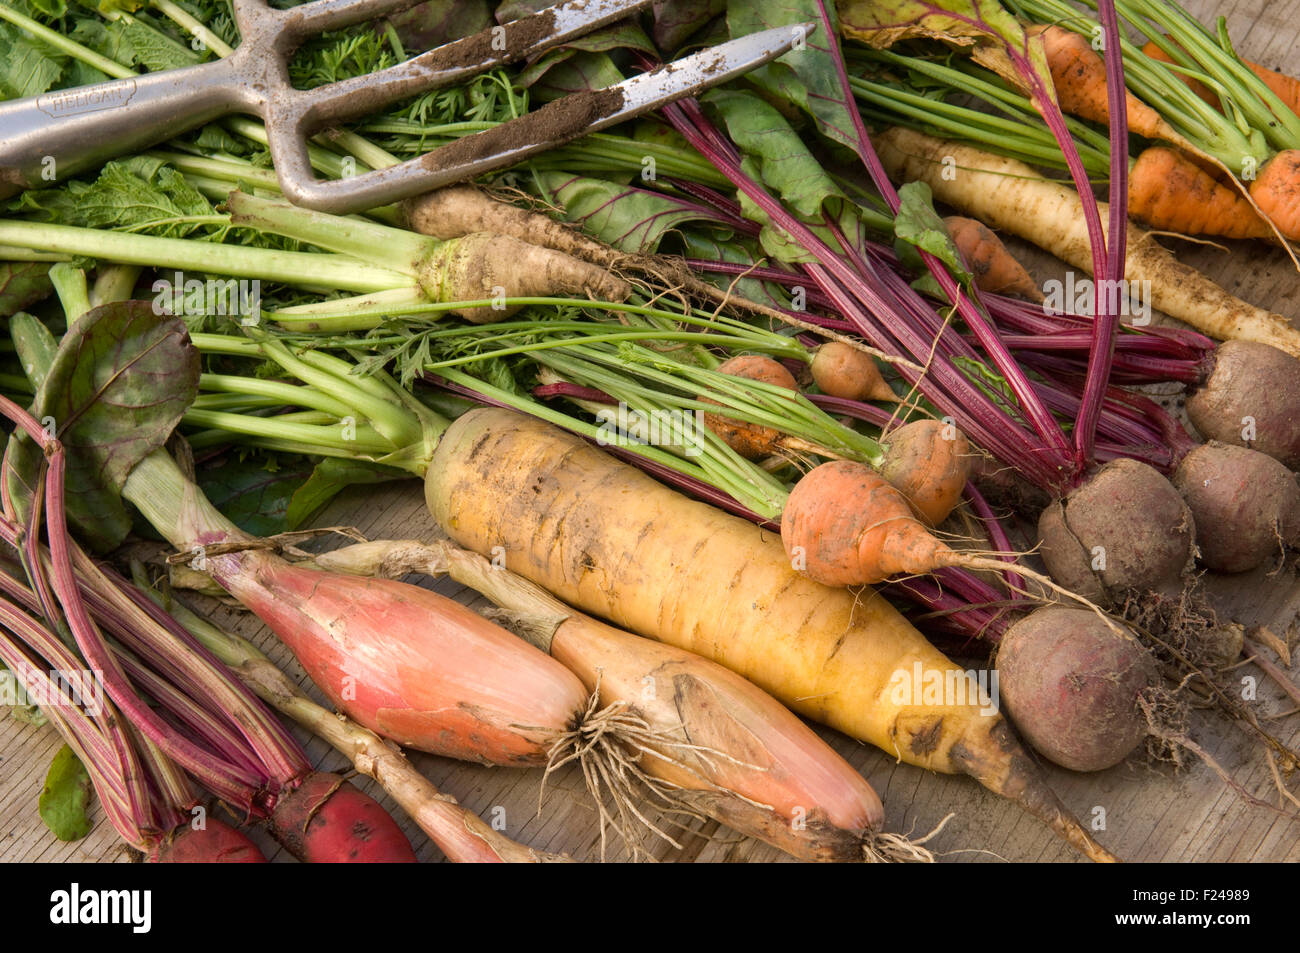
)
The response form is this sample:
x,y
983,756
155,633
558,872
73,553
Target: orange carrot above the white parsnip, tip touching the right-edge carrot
x,y
1172,193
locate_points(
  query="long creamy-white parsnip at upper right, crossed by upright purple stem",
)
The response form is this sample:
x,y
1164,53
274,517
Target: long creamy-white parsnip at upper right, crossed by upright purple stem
x,y
1011,196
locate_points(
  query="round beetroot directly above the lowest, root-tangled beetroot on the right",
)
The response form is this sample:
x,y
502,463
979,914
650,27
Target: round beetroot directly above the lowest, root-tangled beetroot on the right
x,y
1126,530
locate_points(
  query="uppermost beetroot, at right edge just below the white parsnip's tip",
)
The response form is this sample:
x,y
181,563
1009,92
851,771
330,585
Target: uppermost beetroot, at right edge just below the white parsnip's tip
x,y
1251,400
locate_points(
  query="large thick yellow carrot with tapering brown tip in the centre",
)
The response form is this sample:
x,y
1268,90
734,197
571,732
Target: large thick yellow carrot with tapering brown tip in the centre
x,y
614,543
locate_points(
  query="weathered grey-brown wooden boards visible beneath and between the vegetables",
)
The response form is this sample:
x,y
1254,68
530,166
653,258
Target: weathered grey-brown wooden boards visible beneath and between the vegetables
x,y
1149,813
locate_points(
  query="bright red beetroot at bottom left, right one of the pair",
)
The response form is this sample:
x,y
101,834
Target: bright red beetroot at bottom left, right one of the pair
x,y
328,821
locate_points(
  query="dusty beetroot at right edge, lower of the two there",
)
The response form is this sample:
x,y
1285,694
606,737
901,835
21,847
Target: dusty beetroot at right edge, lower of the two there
x,y
1245,504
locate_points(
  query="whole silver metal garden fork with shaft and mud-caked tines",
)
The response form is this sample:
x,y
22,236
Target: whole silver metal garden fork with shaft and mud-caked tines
x,y
83,128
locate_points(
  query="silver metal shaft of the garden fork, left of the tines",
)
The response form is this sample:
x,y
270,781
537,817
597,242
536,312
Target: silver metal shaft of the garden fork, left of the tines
x,y
47,138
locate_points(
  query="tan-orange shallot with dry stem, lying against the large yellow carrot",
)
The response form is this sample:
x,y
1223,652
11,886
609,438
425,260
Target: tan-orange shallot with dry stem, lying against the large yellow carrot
x,y
707,740
